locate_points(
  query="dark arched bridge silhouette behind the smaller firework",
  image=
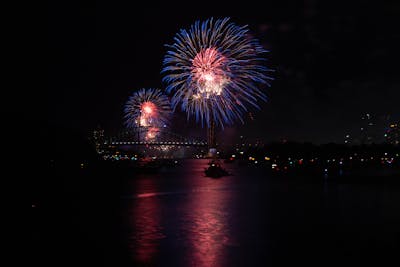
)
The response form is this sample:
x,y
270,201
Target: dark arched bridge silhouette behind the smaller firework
x,y
163,137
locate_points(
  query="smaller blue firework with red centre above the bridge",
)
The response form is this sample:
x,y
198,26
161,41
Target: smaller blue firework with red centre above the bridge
x,y
147,108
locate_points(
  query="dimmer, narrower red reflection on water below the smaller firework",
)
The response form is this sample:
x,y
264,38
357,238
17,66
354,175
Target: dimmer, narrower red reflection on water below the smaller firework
x,y
146,219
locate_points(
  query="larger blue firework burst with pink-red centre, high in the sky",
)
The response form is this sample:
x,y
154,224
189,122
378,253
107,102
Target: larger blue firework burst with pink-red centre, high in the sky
x,y
214,71
